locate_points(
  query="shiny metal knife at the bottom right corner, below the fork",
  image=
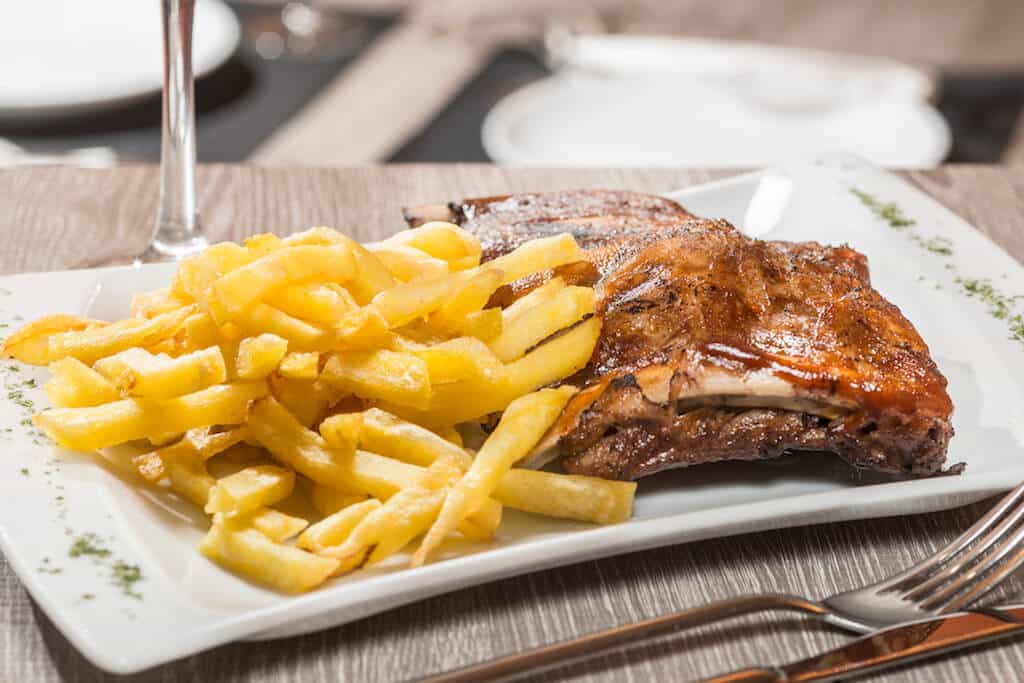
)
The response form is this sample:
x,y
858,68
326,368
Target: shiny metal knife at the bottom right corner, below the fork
x,y
892,648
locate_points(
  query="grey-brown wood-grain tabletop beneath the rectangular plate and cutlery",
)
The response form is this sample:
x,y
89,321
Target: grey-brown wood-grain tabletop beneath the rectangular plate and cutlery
x,y
56,219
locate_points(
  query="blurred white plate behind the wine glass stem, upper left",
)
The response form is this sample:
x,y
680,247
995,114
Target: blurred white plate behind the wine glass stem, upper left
x,y
61,57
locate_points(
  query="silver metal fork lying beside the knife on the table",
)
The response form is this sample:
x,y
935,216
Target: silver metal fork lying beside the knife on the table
x,y
957,576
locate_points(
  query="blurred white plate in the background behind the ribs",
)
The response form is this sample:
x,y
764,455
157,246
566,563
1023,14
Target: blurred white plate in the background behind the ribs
x,y
664,102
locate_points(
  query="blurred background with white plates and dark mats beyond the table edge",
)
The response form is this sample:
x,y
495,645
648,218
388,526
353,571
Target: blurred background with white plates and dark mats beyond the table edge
x,y
704,83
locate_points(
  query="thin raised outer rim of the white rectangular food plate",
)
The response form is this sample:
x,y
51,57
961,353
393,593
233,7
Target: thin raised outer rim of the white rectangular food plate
x,y
262,623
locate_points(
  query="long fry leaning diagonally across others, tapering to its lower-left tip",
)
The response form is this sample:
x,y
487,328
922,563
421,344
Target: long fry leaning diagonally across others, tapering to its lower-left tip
x,y
523,425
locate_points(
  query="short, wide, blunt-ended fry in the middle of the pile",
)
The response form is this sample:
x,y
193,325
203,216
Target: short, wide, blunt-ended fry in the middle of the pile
x,y
393,376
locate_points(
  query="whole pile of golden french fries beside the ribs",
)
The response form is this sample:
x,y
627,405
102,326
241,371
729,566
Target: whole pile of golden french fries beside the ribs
x,y
318,367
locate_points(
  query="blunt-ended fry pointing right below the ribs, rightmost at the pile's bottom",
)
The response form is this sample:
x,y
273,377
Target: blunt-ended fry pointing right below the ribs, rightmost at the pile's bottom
x,y
567,496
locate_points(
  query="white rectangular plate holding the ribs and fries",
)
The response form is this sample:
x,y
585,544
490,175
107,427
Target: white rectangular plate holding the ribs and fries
x,y
50,499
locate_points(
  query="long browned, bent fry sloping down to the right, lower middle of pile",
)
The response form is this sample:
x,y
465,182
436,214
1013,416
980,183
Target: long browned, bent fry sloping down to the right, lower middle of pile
x,y
308,453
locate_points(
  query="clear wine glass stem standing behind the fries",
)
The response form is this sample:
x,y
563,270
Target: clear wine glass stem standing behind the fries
x,y
178,232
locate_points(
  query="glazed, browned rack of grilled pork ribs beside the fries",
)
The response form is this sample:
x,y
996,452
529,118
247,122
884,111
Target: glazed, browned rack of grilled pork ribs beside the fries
x,y
717,347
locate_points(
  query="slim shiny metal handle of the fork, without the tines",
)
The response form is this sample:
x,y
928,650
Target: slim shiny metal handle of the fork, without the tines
x,y
559,655
